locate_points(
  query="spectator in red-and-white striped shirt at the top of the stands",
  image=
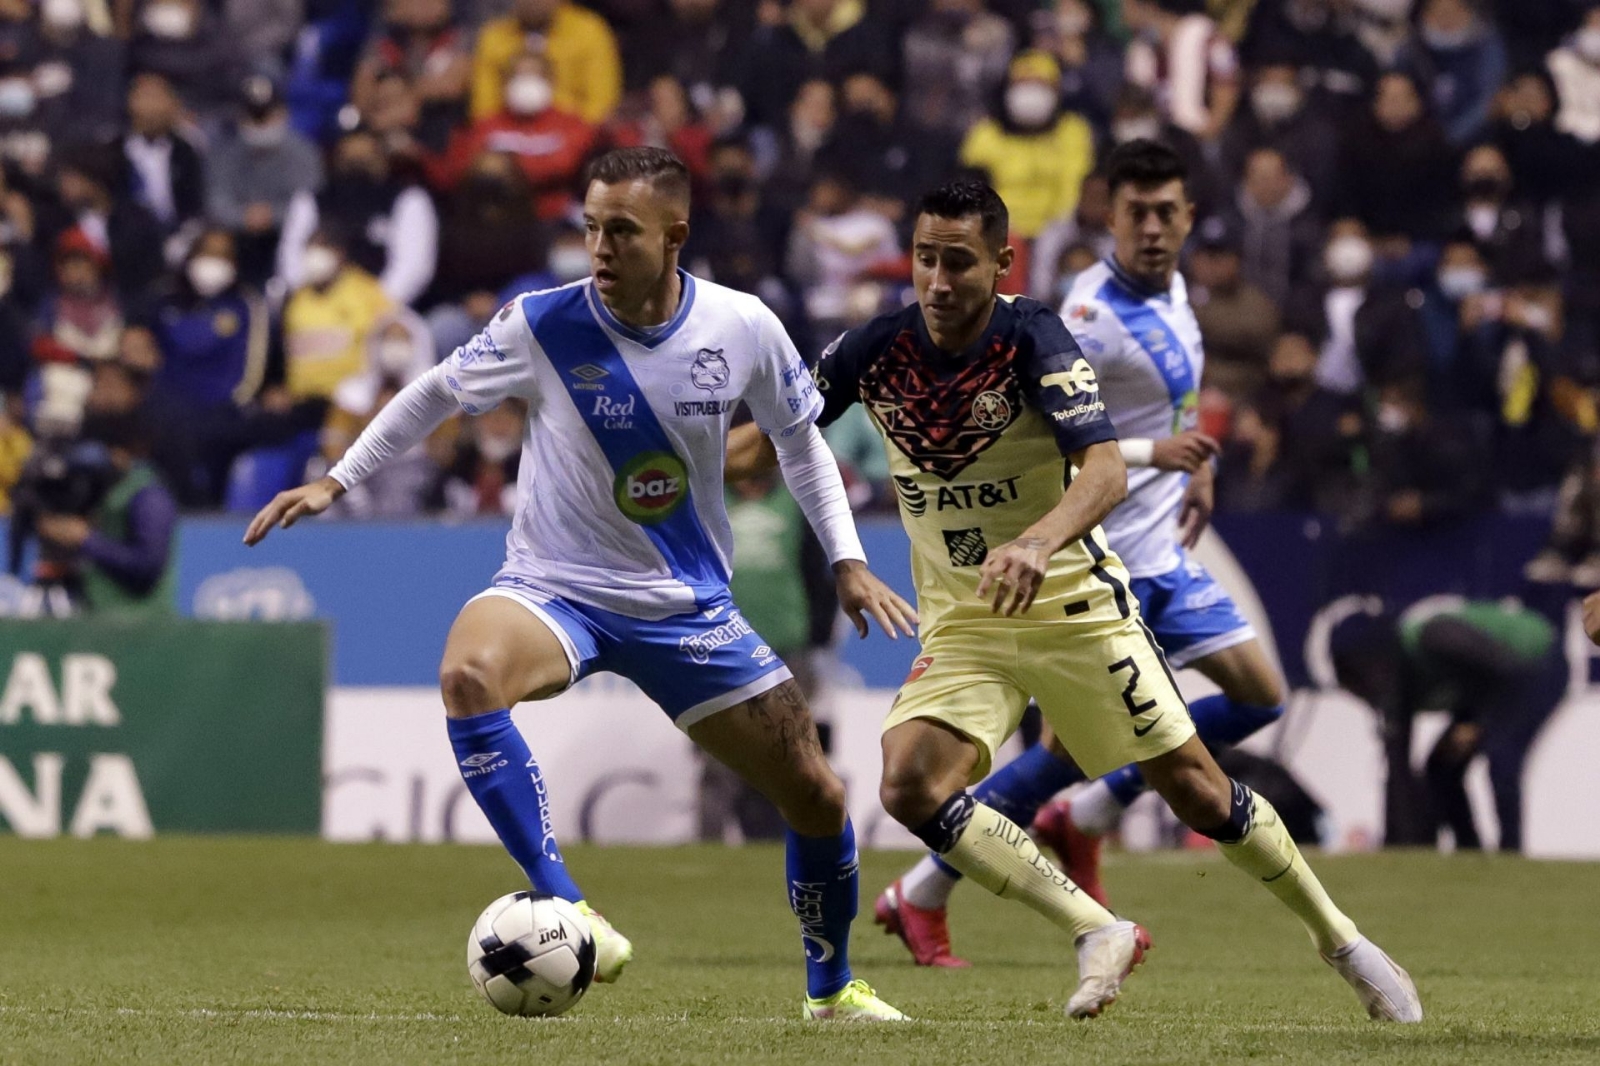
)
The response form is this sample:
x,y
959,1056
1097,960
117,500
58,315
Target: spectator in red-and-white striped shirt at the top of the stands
x,y
1185,62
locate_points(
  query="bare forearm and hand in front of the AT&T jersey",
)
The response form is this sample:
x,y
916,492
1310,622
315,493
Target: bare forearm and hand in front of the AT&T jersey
x,y
1014,572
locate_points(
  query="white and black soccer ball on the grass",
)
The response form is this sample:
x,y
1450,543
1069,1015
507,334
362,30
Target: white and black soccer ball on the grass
x,y
532,955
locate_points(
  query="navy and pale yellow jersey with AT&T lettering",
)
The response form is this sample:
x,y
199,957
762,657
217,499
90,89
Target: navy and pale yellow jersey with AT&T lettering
x,y
977,444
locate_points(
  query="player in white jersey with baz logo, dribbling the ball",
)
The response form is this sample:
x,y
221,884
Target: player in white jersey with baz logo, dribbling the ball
x,y
620,555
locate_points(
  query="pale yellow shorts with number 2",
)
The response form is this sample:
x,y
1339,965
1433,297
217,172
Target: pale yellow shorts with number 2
x,y
1103,686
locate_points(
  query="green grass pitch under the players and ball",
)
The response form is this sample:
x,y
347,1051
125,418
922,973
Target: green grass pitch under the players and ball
x,y
297,952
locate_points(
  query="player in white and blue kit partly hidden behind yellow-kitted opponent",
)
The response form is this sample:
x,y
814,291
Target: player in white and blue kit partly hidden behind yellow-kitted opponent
x,y
1134,321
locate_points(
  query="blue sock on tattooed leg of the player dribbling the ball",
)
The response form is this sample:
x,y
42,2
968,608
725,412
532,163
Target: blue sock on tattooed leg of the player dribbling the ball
x,y
823,883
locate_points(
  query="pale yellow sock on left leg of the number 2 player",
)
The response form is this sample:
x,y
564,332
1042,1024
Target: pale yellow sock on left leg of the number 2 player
x,y
996,854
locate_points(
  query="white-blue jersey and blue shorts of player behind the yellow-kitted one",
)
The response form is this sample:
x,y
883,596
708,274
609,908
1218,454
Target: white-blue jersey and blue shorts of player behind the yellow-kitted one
x,y
1148,355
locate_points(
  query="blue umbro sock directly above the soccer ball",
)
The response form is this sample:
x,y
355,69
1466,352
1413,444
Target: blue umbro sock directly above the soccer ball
x,y
506,782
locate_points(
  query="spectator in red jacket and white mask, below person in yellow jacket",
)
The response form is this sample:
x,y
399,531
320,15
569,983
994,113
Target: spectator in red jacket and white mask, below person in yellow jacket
x,y
550,145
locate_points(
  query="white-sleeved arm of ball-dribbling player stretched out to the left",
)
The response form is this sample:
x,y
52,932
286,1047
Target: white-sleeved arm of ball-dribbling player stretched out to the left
x,y
415,412
